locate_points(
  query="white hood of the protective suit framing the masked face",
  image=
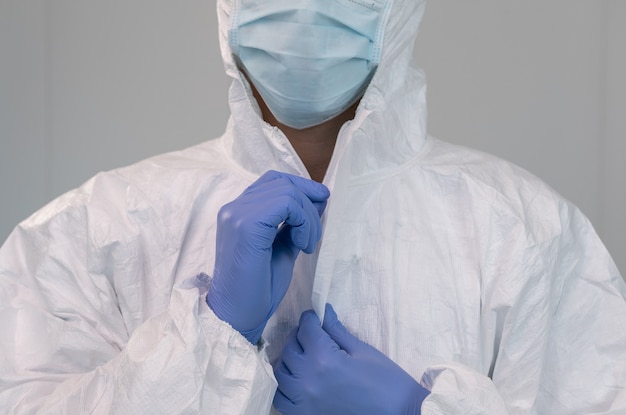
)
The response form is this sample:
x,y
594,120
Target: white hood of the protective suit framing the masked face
x,y
389,127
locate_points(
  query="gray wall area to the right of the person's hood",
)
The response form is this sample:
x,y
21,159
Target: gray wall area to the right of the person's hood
x,y
541,84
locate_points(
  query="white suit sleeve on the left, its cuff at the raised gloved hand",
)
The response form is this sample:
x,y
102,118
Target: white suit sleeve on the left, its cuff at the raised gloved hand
x,y
74,339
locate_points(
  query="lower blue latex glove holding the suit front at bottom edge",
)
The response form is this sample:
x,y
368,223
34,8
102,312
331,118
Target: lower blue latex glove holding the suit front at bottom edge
x,y
326,370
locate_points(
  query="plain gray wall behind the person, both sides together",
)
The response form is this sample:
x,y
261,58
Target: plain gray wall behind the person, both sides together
x,y
89,86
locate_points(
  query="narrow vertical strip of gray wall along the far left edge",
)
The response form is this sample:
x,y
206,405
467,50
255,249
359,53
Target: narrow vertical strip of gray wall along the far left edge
x,y
22,111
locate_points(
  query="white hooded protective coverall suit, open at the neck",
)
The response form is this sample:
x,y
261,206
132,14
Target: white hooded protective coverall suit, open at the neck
x,y
470,273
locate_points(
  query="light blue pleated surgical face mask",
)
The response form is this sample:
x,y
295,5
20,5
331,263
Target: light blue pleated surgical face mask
x,y
310,60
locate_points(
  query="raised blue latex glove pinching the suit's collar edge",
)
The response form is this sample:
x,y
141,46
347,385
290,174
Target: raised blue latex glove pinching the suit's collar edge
x,y
259,236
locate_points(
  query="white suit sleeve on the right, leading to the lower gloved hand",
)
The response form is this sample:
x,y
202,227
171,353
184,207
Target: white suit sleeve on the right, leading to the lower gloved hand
x,y
554,326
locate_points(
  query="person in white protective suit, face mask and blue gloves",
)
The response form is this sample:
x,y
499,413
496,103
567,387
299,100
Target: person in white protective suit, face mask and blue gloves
x,y
443,280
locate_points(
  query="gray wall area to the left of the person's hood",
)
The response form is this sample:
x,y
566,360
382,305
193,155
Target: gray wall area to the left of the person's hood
x,y
89,86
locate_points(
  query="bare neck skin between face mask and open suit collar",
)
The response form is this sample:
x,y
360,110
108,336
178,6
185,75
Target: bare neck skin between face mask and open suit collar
x,y
314,145
